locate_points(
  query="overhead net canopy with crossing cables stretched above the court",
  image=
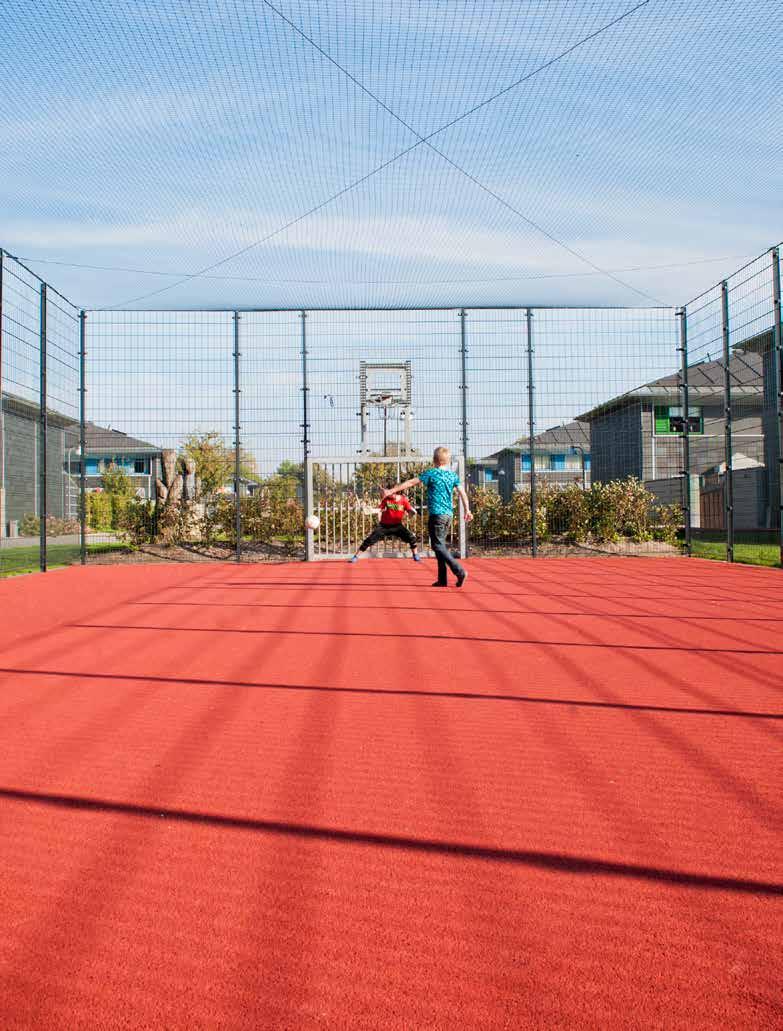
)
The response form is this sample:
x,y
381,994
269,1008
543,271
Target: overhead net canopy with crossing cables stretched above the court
x,y
310,154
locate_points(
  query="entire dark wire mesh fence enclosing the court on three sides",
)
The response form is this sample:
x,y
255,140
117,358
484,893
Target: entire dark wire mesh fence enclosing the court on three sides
x,y
145,436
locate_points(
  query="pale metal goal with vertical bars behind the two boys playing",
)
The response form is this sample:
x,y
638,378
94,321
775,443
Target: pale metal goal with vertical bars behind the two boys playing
x,y
345,492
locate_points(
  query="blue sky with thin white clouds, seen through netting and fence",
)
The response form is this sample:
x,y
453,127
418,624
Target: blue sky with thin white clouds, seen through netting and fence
x,y
150,141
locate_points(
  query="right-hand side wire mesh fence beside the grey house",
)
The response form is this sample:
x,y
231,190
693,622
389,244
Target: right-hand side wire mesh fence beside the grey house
x,y
734,362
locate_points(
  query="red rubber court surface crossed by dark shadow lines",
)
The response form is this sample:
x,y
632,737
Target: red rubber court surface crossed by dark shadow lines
x,y
330,796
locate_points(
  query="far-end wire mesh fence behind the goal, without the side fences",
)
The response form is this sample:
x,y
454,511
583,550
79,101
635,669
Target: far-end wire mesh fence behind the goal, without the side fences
x,y
344,389
